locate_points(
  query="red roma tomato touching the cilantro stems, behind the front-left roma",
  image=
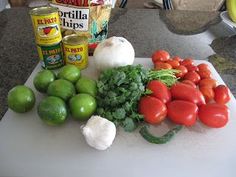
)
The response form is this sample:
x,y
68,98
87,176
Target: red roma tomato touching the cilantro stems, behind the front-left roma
x,y
159,90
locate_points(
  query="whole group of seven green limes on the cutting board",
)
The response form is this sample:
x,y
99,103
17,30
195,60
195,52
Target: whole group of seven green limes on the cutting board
x,y
67,92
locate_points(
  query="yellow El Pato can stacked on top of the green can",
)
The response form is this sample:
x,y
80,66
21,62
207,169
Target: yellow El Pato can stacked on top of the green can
x,y
46,24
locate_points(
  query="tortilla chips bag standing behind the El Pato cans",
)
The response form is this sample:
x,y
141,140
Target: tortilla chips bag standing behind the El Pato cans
x,y
85,18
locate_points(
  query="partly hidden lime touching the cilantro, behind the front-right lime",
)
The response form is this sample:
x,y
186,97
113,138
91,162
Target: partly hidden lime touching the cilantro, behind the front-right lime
x,y
86,85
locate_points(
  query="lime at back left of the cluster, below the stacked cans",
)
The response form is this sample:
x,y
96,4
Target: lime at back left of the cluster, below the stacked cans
x,y
43,79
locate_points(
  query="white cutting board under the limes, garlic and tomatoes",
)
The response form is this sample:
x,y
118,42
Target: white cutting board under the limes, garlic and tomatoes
x,y
28,147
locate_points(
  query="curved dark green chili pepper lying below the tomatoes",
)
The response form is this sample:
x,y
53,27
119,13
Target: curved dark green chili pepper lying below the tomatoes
x,y
159,140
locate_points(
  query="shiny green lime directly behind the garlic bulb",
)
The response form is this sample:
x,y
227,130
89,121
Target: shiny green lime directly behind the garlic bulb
x,y
82,106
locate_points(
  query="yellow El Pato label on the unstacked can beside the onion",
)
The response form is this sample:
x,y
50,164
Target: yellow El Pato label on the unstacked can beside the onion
x,y
76,55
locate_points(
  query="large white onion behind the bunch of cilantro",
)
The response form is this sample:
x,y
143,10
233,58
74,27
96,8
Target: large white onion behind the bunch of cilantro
x,y
113,52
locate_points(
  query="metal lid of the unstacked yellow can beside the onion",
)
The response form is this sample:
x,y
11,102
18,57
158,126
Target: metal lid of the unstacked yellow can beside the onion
x,y
74,39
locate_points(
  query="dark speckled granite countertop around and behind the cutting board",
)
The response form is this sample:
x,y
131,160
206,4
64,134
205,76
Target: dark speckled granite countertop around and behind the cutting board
x,y
199,35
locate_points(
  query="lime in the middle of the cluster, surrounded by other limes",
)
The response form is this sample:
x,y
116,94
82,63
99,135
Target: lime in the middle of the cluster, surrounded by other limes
x,y
61,88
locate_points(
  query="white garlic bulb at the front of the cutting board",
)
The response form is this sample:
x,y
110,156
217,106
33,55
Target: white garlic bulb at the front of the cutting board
x,y
99,132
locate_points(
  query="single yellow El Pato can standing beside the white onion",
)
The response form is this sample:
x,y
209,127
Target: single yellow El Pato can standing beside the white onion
x,y
76,50
